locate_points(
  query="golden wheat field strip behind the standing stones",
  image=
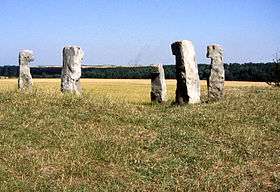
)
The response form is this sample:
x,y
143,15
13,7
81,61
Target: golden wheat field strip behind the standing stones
x,y
127,89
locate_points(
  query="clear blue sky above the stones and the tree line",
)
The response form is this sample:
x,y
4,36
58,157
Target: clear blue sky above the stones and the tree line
x,y
121,32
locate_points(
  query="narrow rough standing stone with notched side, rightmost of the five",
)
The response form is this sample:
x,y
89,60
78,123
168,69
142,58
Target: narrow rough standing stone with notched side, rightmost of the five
x,y
216,80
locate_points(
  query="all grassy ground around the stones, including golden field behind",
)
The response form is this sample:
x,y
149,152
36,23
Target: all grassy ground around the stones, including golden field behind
x,y
113,139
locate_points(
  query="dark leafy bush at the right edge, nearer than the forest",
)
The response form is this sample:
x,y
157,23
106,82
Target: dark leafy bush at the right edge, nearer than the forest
x,y
275,72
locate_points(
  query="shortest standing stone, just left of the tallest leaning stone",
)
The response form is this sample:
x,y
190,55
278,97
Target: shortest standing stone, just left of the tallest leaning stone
x,y
158,92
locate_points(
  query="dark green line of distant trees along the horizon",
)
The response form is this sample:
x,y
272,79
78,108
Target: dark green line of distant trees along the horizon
x,y
264,72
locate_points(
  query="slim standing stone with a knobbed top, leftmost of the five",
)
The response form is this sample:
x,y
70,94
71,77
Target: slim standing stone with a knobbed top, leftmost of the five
x,y
25,78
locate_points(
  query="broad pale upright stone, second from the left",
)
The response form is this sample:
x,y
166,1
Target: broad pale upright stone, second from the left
x,y
71,70
